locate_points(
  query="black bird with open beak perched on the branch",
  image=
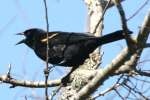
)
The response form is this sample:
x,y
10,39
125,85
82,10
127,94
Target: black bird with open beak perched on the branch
x,y
66,48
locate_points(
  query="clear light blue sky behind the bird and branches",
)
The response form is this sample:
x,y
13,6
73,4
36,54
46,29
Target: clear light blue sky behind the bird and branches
x,y
64,15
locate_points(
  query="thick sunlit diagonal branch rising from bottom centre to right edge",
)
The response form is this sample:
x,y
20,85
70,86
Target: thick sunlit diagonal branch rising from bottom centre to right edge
x,y
116,63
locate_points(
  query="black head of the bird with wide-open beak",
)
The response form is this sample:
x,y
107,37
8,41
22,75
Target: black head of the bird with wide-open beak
x,y
31,36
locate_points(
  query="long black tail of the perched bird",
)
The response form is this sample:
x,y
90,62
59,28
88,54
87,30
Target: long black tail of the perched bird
x,y
114,36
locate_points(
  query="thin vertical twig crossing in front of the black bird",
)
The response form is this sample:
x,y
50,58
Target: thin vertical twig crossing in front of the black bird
x,y
46,71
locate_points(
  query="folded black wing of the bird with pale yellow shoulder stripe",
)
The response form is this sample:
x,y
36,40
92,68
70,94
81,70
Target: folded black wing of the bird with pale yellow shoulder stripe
x,y
66,38
